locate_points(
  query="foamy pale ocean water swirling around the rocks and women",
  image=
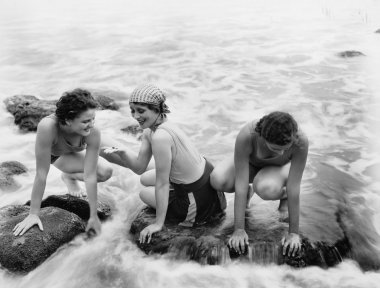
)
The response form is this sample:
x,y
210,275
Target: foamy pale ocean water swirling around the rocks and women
x,y
222,63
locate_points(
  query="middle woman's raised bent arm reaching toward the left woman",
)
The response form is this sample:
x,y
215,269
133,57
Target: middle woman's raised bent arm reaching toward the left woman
x,y
127,158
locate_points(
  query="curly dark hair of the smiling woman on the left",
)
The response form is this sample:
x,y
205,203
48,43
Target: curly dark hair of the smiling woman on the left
x,y
73,103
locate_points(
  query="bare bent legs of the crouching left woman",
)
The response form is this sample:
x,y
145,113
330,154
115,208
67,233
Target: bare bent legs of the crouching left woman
x,y
72,166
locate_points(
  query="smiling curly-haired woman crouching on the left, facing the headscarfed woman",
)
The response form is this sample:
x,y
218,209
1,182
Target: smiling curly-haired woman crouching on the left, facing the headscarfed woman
x,y
69,141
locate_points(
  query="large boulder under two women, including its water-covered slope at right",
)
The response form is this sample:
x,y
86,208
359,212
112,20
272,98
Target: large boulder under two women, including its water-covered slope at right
x,y
331,229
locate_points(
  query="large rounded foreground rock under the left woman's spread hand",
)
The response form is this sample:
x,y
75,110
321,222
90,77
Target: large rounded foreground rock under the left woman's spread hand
x,y
22,254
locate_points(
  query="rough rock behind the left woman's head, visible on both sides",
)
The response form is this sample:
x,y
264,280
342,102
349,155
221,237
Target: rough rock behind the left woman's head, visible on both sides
x,y
28,110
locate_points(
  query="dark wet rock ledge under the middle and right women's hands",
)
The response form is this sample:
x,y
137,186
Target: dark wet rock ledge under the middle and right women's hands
x,y
208,244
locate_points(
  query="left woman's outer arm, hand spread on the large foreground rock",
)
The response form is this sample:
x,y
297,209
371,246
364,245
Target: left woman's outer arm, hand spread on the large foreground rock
x,y
46,132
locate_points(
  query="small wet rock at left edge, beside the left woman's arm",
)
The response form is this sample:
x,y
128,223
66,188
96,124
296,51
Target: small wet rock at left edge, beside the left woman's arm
x,y
7,170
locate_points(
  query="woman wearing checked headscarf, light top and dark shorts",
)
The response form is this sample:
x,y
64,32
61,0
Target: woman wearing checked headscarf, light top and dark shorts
x,y
193,201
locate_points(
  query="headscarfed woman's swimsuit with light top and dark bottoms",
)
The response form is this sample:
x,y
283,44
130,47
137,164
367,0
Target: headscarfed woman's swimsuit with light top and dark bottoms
x,y
193,200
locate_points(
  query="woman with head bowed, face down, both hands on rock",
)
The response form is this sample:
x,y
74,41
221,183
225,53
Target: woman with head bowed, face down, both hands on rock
x,y
271,154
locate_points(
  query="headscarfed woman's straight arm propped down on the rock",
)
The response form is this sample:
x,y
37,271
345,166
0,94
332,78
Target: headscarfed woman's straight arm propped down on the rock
x,y
161,145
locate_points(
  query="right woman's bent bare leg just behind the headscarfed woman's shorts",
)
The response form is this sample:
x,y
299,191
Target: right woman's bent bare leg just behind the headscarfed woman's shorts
x,y
222,178
